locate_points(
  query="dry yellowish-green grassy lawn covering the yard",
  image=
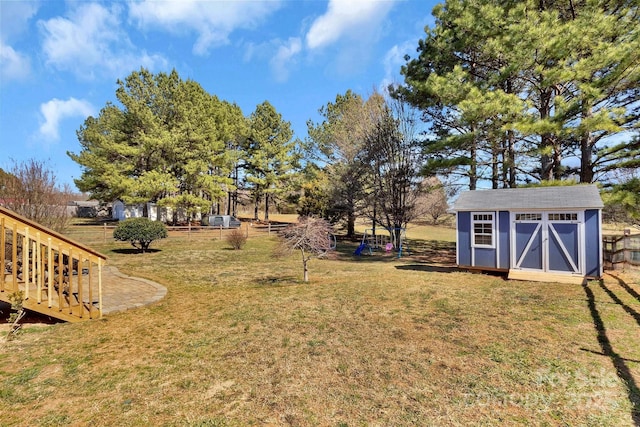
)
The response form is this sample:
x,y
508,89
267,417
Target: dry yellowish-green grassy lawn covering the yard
x,y
373,340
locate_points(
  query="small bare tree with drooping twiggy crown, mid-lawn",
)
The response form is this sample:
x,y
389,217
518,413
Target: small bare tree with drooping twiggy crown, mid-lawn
x,y
310,236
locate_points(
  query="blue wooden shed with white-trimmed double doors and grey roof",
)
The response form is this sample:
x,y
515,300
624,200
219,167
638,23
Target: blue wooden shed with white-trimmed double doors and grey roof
x,y
543,234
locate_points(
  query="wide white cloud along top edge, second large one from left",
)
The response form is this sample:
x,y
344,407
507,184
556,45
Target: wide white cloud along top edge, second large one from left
x,y
212,20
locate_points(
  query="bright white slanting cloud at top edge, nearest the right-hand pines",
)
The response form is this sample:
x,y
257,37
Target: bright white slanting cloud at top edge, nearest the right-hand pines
x,y
355,19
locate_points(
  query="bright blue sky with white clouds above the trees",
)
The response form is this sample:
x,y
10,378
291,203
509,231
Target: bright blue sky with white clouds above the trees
x,y
59,60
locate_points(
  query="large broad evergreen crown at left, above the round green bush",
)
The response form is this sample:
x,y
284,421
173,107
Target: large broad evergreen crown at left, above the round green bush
x,y
165,142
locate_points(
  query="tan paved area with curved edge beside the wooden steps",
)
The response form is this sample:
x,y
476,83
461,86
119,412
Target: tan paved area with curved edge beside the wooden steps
x,y
121,292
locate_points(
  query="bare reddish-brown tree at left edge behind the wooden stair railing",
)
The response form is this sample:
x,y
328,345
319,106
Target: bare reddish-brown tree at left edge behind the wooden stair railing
x,y
30,189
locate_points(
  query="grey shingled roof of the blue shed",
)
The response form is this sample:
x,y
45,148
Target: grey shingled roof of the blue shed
x,y
567,197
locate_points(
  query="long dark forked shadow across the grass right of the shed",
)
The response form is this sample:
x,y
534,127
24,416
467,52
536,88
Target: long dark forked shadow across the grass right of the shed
x,y
619,363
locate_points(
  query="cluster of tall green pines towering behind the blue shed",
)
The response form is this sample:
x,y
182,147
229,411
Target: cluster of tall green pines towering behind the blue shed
x,y
503,81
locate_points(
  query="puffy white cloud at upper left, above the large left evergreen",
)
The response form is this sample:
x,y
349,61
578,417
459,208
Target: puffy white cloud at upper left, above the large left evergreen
x,y
90,40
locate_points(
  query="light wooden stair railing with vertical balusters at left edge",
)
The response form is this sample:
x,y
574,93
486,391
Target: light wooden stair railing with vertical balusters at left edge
x,y
55,275
